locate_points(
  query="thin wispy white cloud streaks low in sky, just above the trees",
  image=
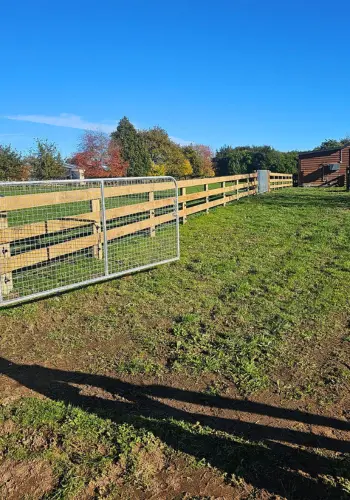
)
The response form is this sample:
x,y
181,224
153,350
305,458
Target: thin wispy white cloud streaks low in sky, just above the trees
x,y
75,121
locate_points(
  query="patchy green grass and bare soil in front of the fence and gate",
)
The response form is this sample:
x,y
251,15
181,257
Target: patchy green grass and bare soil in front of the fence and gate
x,y
223,375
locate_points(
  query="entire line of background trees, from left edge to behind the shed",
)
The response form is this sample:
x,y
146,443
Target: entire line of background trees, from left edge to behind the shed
x,y
138,153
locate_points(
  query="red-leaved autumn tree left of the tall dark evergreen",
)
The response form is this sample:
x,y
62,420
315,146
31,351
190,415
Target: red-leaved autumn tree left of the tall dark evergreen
x,y
99,156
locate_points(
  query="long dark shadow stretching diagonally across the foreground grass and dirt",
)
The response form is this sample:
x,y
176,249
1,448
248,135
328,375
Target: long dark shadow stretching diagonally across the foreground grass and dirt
x,y
275,459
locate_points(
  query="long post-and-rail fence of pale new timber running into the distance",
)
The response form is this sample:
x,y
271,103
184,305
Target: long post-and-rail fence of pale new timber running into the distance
x,y
146,207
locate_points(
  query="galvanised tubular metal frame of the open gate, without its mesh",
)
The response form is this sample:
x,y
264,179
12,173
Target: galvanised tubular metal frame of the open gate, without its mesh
x,y
107,274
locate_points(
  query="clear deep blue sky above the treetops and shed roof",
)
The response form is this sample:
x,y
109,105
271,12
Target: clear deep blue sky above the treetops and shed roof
x,y
225,72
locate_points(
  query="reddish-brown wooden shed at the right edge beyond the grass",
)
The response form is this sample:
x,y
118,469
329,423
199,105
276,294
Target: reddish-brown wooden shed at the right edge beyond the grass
x,y
326,167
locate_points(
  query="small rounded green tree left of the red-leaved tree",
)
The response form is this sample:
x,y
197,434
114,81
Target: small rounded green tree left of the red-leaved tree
x,y
46,161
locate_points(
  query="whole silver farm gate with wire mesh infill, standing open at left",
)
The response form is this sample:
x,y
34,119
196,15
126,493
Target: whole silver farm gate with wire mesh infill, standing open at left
x,y
57,235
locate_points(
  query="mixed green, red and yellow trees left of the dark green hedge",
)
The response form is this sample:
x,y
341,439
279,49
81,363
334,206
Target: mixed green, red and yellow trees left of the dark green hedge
x,y
126,152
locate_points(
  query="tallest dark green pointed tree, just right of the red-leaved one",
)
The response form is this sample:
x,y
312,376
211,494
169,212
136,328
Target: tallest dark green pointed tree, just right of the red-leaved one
x,y
132,148
